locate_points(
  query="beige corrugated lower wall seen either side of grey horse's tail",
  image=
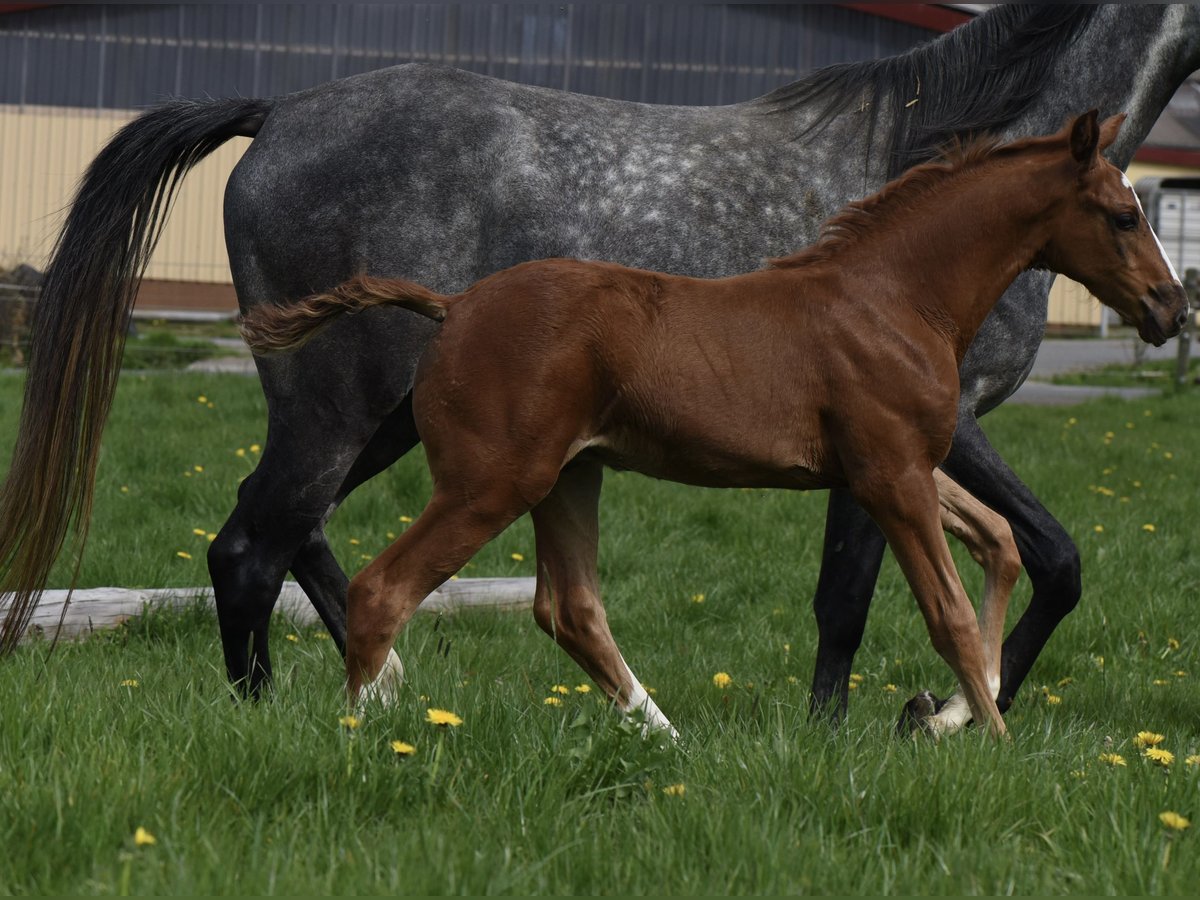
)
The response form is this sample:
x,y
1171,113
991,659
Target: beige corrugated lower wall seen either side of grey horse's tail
x,y
45,152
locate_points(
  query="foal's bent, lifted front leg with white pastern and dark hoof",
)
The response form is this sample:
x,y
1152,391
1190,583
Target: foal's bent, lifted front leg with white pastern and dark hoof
x,y
991,543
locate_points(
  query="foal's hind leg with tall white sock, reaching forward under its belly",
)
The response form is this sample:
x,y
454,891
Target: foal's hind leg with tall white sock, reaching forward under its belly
x,y
567,603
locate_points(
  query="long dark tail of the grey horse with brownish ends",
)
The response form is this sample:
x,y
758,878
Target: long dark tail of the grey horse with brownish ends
x,y
79,334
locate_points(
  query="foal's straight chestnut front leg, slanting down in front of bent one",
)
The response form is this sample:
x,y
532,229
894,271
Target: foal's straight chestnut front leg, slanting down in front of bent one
x,y
907,509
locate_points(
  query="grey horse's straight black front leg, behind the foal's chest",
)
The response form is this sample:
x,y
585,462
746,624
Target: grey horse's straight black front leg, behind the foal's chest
x,y
850,566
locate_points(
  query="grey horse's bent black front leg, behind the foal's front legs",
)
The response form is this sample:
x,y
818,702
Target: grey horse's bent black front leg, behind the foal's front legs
x,y
1048,554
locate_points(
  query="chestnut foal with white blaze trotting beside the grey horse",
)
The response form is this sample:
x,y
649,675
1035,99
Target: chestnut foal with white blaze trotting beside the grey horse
x,y
833,367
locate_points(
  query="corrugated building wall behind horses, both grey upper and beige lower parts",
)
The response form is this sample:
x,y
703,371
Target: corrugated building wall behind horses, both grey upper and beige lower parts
x,y
73,75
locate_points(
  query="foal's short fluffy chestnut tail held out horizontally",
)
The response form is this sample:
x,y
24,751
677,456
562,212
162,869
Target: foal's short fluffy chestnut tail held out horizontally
x,y
271,328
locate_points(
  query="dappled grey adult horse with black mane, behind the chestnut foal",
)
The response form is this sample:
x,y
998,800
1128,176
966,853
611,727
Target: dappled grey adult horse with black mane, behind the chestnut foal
x,y
443,177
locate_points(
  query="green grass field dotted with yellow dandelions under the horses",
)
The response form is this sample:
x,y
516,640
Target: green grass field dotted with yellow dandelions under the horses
x,y
135,729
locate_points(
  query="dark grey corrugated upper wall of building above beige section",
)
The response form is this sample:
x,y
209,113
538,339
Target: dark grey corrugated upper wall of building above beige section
x,y
122,57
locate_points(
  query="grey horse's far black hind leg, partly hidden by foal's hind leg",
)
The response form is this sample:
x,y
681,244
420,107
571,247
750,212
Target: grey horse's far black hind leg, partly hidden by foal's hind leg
x,y
315,567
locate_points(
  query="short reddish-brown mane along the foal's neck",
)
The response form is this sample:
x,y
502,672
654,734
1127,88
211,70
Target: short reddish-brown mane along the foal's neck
x,y
861,218
